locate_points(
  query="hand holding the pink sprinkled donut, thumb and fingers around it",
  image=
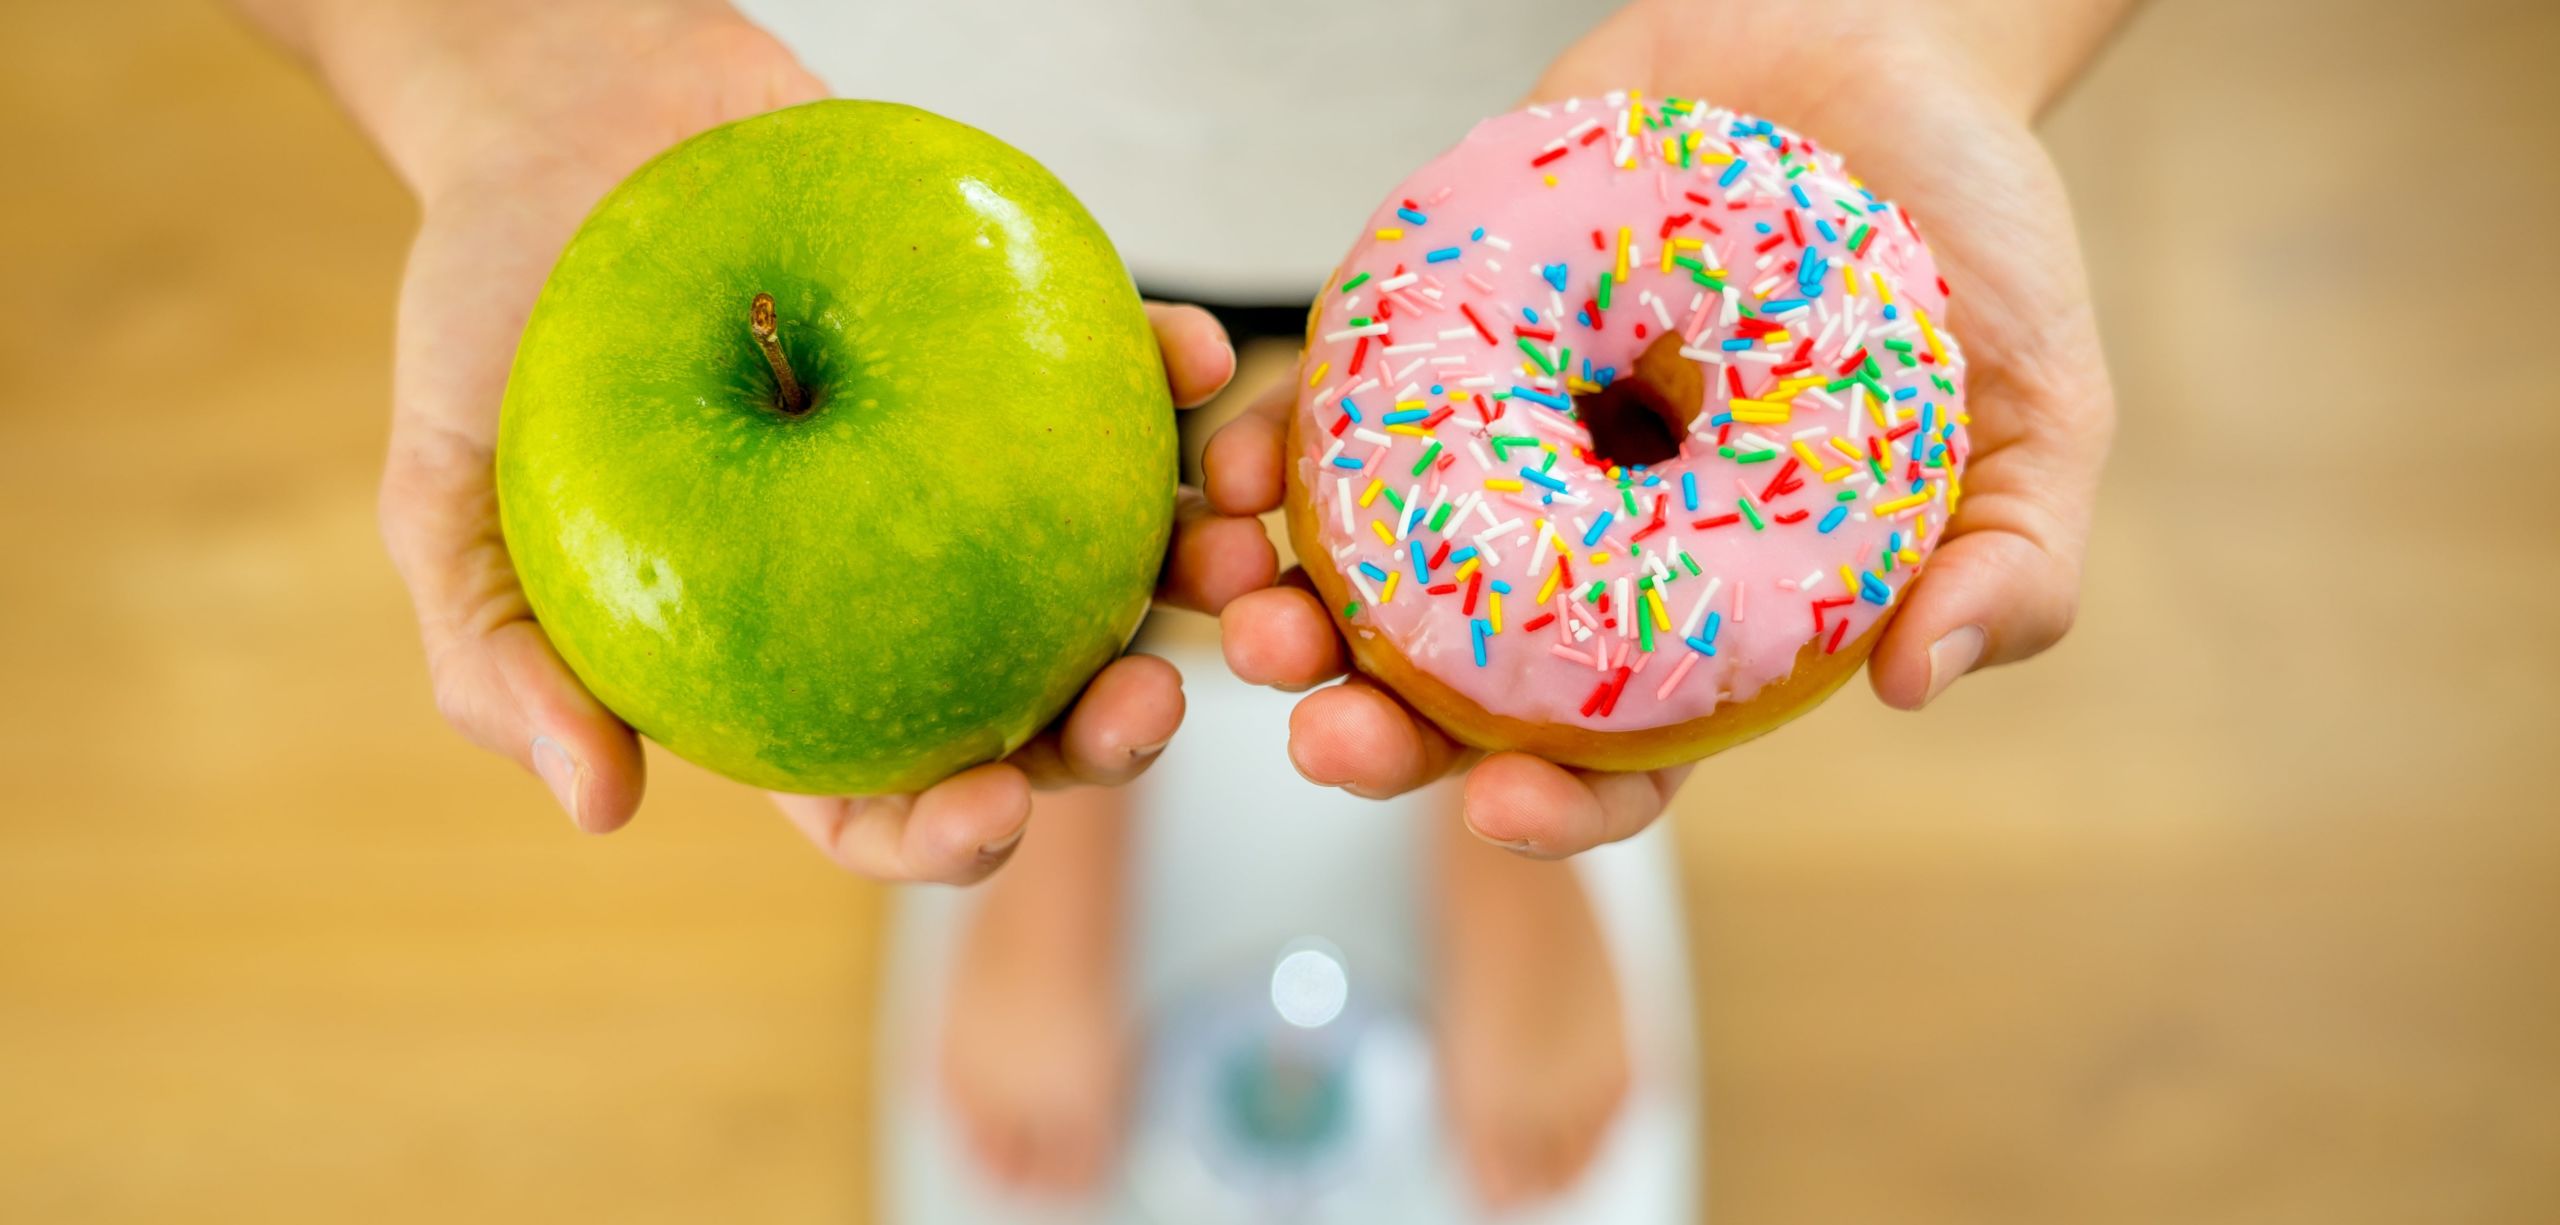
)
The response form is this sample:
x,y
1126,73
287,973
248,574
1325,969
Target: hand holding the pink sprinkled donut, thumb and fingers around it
x,y
1929,127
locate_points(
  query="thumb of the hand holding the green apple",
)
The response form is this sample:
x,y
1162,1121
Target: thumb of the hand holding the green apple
x,y
498,679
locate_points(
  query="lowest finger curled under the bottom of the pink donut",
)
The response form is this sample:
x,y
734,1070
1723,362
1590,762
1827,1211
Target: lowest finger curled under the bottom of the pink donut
x,y
1550,812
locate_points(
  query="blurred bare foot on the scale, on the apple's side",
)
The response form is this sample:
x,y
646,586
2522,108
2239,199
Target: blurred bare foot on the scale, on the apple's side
x,y
1036,1045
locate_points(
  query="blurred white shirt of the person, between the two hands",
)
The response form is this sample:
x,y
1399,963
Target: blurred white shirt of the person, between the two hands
x,y
1230,147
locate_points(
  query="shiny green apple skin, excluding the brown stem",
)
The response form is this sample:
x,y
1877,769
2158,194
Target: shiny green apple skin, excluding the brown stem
x,y
923,569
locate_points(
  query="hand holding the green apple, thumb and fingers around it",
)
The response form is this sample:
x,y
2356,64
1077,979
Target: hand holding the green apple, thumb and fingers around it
x,y
506,180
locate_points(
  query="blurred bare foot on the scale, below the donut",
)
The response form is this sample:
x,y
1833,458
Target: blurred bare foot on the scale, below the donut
x,y
1532,1034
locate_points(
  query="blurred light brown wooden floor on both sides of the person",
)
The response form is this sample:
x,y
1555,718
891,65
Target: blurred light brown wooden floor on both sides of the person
x,y
2239,909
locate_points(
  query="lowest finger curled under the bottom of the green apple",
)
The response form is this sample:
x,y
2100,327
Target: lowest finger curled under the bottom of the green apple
x,y
954,832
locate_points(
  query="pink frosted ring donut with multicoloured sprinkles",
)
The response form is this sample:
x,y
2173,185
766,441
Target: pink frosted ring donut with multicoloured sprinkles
x,y
1622,431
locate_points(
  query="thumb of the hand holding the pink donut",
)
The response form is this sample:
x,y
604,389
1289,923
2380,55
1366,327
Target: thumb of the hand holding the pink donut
x,y
2006,582
